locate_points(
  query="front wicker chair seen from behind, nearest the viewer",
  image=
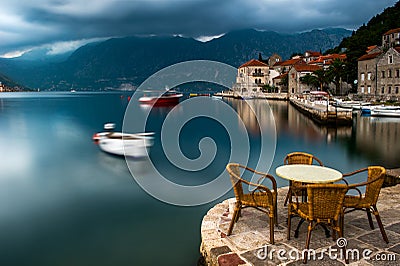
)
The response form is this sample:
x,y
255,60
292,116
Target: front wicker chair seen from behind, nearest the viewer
x,y
324,206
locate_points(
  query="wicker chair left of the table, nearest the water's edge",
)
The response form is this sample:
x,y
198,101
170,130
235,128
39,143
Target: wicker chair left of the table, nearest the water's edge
x,y
261,198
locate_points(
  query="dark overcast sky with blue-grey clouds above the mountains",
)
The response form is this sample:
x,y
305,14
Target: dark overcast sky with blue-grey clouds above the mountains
x,y
65,24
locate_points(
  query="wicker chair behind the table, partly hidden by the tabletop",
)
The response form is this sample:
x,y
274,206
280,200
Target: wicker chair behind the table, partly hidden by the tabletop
x,y
298,158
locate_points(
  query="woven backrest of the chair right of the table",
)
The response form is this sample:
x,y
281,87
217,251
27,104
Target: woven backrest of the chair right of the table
x,y
373,189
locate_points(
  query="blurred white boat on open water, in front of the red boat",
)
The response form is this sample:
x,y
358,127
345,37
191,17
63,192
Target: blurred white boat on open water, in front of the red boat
x,y
131,145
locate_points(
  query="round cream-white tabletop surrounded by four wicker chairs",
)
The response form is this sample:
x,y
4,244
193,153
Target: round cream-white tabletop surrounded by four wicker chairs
x,y
308,173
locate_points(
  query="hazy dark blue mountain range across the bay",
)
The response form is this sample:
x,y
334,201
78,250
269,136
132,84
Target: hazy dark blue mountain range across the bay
x,y
128,61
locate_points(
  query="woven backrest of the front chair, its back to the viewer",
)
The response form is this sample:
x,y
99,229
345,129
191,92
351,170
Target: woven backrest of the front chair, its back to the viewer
x,y
325,201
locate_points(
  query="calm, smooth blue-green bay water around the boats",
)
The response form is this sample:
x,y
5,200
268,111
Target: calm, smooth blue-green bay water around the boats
x,y
64,202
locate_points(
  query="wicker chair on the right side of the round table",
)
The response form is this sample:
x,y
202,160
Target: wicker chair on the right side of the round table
x,y
367,201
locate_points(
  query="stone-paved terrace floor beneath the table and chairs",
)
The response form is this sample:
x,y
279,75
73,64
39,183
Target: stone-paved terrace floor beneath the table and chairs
x,y
249,242
